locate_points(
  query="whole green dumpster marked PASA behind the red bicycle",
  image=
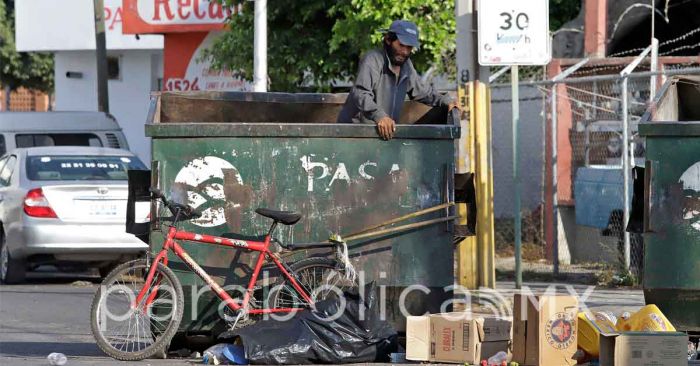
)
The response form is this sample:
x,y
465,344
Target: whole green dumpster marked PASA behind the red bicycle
x,y
230,153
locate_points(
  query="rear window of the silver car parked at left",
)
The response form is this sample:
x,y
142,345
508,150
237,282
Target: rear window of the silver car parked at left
x,y
53,167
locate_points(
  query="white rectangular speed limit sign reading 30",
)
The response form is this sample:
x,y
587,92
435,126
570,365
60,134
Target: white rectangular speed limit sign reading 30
x,y
514,32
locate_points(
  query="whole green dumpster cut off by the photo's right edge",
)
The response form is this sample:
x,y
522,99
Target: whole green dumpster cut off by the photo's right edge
x,y
672,205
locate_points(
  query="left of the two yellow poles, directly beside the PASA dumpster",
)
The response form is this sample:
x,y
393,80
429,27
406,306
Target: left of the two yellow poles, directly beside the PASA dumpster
x,y
467,254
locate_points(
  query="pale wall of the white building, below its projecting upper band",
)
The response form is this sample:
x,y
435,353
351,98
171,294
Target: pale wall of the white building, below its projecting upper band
x,y
128,96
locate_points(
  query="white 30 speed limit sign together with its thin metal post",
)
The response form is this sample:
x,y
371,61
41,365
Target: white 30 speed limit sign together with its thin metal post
x,y
512,33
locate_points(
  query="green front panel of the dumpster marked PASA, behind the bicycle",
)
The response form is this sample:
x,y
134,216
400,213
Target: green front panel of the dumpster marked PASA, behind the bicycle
x,y
340,185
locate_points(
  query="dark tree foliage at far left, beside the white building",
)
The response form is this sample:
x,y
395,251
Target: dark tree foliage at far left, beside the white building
x,y
31,70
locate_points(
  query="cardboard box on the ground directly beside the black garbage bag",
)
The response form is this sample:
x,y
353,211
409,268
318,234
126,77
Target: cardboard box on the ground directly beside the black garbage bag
x,y
460,337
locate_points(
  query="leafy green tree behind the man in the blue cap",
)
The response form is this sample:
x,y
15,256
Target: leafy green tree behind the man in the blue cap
x,y
312,43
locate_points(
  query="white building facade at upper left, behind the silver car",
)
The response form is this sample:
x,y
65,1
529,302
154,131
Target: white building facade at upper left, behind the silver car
x,y
66,29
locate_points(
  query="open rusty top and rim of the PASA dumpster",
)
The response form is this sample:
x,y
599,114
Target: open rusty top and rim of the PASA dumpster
x,y
246,114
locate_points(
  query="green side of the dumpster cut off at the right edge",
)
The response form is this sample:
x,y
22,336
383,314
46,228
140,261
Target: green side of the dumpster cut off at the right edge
x,y
672,253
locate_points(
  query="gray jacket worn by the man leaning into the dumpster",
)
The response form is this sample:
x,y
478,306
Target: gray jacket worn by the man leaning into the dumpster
x,y
377,94
